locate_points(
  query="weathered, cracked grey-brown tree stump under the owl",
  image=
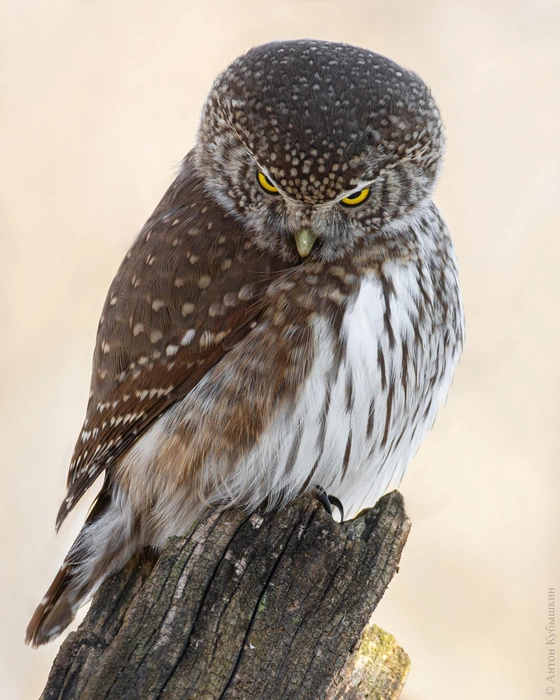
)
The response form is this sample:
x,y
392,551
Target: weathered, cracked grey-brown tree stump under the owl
x,y
262,606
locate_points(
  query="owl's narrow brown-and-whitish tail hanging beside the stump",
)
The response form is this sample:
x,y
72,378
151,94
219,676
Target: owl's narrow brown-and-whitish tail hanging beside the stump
x,y
102,547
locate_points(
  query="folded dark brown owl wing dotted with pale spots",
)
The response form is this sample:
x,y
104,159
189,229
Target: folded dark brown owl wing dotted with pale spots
x,y
189,289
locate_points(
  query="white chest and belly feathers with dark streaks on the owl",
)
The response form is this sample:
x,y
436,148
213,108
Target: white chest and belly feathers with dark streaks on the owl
x,y
361,416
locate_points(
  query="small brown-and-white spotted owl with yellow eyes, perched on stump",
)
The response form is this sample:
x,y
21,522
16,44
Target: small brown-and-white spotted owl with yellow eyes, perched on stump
x,y
288,318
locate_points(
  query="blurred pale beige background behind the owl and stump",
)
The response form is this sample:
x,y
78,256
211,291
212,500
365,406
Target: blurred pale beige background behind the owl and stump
x,y
99,101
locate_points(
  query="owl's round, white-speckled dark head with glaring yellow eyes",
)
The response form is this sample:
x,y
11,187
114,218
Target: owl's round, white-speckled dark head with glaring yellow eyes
x,y
318,147
